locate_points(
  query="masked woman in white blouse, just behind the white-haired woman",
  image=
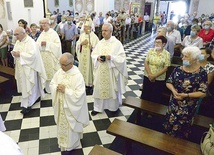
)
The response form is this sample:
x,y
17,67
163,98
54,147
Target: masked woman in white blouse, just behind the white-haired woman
x,y
193,39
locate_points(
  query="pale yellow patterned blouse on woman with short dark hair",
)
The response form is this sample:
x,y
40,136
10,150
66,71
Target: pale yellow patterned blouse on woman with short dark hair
x,y
157,62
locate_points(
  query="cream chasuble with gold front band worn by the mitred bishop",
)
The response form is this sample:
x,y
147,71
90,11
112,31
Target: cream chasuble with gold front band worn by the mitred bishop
x,y
84,56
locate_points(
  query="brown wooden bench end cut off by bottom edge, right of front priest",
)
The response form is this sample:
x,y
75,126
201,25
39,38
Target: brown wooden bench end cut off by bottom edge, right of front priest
x,y
99,150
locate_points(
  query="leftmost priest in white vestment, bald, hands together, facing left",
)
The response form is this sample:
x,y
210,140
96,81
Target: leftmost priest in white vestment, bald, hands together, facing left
x,y
29,69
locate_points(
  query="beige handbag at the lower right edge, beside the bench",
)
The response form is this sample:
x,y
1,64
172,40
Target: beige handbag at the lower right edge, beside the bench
x,y
207,142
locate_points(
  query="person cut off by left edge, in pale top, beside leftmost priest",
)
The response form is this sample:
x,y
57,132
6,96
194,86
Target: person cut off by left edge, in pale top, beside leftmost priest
x,y
3,46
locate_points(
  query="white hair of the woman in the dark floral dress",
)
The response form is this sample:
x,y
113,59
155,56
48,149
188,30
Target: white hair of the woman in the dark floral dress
x,y
193,51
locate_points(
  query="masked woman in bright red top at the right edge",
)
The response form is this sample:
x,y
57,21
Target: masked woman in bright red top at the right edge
x,y
207,33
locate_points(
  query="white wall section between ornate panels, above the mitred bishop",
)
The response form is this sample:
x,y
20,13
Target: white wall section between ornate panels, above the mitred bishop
x,y
103,6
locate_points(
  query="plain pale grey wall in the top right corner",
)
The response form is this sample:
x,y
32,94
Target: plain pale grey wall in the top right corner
x,y
206,7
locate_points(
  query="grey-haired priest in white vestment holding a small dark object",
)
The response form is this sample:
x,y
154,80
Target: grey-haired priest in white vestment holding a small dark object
x,y
110,72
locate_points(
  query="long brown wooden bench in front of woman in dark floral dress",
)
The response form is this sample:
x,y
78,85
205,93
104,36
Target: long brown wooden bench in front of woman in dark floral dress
x,y
134,133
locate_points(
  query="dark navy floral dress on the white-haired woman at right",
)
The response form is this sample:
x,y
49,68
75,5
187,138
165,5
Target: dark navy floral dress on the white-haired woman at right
x,y
180,113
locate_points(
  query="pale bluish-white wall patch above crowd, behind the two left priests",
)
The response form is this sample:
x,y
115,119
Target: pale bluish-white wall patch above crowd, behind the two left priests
x,y
63,6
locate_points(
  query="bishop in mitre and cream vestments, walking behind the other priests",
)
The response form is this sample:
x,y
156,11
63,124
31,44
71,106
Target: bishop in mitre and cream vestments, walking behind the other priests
x,y
84,47
